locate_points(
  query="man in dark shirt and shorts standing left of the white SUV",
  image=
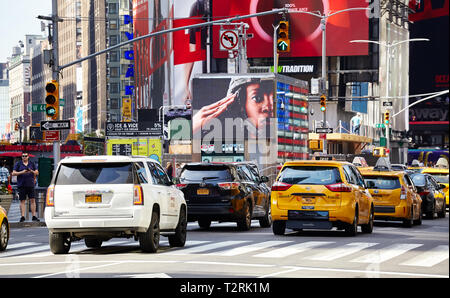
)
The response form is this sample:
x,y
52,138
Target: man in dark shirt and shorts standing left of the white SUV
x,y
26,173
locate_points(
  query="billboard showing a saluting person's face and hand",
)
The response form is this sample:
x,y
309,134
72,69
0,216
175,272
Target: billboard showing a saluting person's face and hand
x,y
234,107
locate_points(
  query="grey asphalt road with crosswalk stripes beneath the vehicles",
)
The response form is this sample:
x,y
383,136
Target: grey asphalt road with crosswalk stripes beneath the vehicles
x,y
391,251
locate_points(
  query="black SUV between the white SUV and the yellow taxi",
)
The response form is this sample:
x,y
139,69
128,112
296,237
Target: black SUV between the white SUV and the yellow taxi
x,y
225,192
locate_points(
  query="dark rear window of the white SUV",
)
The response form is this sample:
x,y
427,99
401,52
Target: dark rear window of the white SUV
x,y
100,173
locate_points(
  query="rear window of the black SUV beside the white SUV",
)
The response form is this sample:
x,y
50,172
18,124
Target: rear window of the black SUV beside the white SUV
x,y
209,172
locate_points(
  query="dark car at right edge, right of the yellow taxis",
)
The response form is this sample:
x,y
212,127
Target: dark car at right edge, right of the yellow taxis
x,y
431,192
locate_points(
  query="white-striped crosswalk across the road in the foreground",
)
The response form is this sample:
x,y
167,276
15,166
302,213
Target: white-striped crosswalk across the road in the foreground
x,y
317,251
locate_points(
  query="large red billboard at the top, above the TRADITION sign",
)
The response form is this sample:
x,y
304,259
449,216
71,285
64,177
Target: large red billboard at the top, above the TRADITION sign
x,y
305,30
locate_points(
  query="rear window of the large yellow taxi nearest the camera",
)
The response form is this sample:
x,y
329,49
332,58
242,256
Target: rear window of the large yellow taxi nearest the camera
x,y
318,175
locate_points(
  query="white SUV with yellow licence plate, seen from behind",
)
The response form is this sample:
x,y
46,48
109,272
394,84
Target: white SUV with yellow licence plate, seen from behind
x,y
96,198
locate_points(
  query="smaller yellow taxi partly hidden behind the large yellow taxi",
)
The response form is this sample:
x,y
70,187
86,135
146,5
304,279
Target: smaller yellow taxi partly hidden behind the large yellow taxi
x,y
394,195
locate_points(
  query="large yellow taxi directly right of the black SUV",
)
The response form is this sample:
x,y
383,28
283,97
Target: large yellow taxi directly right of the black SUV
x,y
321,194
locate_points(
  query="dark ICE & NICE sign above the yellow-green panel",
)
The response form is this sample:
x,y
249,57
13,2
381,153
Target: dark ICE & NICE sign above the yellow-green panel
x,y
134,129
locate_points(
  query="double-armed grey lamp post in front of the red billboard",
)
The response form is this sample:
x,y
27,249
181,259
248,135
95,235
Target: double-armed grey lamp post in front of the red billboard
x,y
323,24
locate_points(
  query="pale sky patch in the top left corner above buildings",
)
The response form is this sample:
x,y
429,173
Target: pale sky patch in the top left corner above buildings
x,y
18,18
